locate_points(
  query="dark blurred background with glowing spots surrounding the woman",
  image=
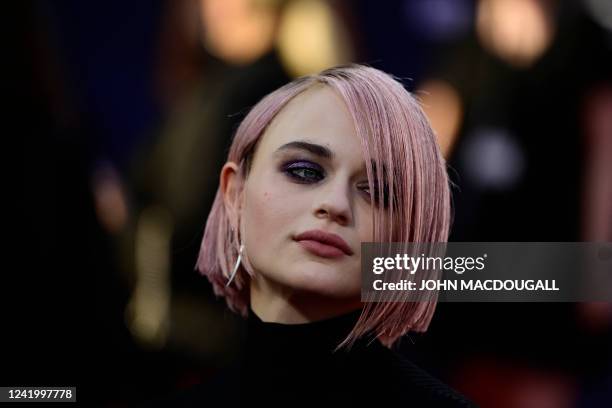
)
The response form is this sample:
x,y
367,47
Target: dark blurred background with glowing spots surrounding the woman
x,y
118,119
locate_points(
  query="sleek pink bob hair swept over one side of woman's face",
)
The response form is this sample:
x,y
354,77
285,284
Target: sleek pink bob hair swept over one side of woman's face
x,y
396,137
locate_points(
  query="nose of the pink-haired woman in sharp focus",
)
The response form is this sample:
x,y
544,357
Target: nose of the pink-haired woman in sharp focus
x,y
335,203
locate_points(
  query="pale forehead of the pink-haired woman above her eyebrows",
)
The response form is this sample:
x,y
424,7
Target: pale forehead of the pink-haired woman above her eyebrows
x,y
317,115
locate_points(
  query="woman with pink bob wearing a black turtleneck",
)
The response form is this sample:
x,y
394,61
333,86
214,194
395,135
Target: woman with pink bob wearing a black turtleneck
x,y
318,166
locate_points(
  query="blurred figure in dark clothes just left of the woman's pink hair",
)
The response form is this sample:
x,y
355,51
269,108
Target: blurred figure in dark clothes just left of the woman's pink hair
x,y
216,60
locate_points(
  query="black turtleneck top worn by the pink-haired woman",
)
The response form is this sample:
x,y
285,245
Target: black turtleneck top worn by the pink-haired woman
x,y
291,364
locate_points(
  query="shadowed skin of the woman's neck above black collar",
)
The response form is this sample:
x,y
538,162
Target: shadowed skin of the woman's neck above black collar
x,y
272,302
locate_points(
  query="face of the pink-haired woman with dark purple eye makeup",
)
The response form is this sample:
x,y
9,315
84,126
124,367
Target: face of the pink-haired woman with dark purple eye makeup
x,y
308,173
